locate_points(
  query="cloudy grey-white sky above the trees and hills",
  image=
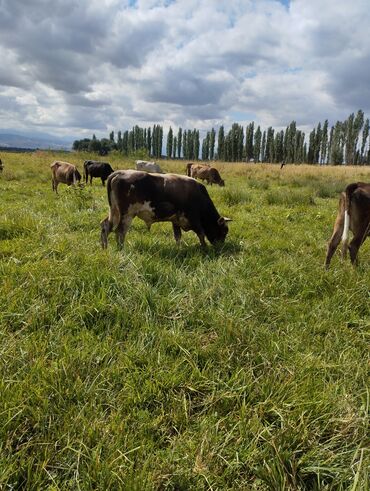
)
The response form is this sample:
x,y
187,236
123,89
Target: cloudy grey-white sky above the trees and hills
x,y
77,67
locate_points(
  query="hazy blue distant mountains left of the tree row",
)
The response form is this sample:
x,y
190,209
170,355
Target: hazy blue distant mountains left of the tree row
x,y
42,141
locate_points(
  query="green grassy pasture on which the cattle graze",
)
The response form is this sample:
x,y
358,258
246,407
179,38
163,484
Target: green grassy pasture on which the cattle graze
x,y
159,367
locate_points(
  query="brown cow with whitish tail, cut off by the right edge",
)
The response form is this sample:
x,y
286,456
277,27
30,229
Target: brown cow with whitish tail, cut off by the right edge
x,y
354,215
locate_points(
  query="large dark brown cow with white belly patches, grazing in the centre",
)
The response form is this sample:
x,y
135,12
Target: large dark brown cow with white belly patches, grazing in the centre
x,y
161,198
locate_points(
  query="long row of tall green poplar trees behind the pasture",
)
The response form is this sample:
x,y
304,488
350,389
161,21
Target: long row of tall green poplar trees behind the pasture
x,y
345,142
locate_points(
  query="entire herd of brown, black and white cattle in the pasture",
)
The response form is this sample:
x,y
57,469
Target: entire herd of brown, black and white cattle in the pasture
x,y
155,196
